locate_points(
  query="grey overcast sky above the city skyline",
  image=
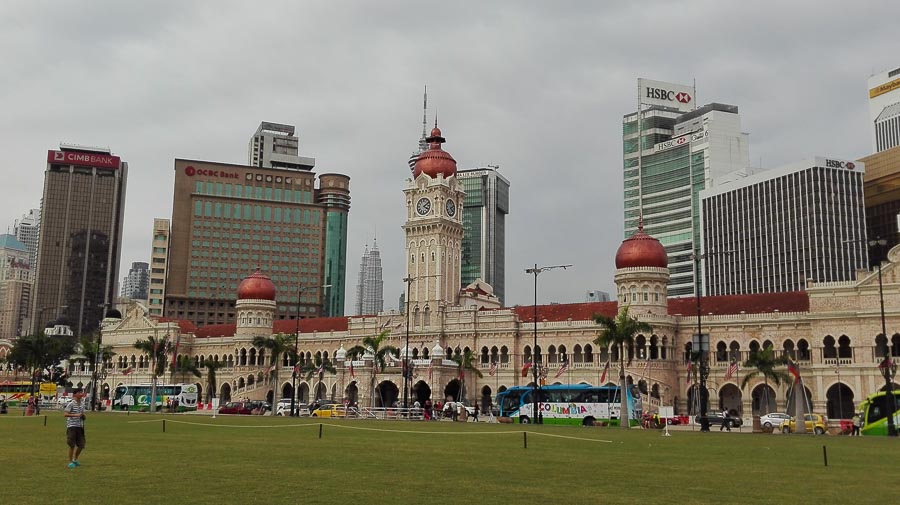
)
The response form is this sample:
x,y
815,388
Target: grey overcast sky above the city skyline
x,y
538,88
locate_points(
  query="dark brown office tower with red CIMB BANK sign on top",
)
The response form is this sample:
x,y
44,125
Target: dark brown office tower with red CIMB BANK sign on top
x,y
81,236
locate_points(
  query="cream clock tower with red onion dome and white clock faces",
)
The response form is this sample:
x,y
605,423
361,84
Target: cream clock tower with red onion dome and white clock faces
x,y
434,231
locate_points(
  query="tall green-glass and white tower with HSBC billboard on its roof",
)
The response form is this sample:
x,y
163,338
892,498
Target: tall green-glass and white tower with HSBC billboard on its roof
x,y
683,150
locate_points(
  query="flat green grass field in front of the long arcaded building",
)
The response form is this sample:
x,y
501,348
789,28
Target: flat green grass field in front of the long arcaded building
x,y
200,460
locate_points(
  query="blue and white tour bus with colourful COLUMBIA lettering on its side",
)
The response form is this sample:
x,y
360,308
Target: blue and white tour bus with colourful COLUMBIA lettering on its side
x,y
570,404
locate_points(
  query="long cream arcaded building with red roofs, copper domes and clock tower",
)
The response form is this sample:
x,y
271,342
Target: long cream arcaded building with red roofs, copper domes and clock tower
x,y
832,330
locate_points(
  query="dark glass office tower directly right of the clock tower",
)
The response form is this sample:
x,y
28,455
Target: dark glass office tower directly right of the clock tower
x,y
485,207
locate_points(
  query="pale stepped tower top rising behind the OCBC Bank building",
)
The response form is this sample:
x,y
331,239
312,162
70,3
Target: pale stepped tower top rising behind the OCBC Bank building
x,y
275,146
